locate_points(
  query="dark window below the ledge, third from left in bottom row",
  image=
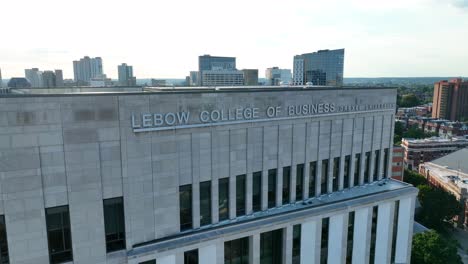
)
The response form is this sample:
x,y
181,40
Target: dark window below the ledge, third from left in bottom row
x,y
271,247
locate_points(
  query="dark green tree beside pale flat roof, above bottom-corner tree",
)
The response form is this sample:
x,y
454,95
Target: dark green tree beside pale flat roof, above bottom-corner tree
x,y
438,207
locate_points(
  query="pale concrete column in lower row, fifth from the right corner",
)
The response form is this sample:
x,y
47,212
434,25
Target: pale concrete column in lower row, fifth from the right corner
x,y
310,241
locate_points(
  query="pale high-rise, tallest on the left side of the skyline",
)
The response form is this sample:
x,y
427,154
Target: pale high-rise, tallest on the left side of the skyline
x,y
87,68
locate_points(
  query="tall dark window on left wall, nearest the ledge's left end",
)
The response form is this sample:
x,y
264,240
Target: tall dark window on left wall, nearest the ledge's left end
x,y
114,223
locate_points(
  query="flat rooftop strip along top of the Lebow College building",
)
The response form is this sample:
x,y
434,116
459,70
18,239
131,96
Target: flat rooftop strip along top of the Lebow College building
x,y
25,92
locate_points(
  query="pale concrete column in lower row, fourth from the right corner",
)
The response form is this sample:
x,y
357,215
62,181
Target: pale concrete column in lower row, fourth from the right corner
x,y
337,238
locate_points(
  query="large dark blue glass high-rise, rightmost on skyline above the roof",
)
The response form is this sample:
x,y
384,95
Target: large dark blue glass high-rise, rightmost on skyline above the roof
x,y
324,67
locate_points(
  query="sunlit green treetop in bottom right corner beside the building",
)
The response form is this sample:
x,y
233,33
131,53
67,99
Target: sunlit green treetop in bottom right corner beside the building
x,y
430,248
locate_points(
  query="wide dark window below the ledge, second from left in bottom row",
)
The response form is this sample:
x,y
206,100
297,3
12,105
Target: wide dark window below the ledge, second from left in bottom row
x,y
236,251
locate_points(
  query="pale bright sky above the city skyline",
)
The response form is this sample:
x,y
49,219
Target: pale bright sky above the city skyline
x,y
163,39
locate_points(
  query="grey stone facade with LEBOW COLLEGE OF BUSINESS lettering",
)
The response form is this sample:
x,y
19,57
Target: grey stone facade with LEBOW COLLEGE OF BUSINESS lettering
x,y
227,175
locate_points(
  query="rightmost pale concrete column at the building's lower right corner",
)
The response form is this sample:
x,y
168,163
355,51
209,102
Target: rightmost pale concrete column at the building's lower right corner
x,y
405,230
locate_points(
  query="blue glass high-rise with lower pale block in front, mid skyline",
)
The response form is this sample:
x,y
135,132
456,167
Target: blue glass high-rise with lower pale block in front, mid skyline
x,y
218,71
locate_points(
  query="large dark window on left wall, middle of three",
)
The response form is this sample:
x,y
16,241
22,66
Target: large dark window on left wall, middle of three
x,y
58,234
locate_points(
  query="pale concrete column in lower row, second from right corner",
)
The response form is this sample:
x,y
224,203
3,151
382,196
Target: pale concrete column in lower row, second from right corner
x,y
383,241
